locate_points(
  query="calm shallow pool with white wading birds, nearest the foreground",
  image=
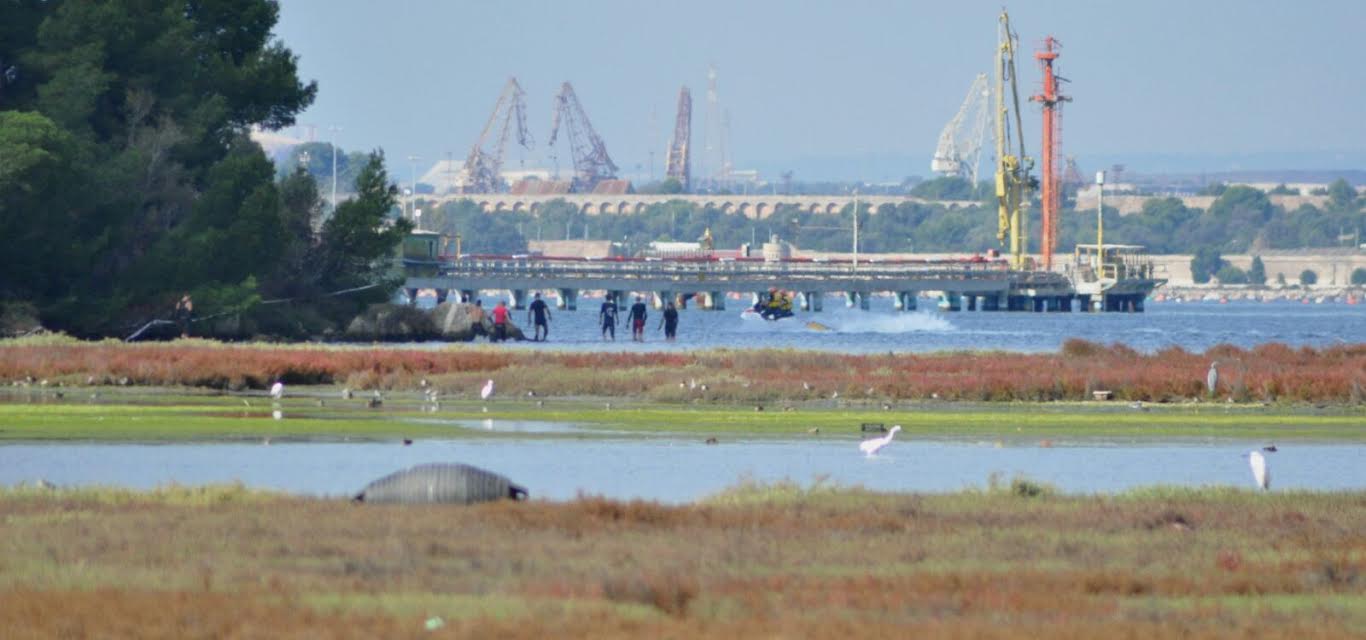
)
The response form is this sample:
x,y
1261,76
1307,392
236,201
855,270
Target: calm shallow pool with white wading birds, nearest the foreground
x,y
675,469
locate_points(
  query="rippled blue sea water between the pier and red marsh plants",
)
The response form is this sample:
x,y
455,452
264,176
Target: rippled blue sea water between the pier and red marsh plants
x,y
1195,327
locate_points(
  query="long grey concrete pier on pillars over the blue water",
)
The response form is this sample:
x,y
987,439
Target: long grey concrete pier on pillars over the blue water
x,y
965,285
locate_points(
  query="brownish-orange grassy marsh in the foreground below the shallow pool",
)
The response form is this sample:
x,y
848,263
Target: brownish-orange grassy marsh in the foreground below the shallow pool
x,y
757,562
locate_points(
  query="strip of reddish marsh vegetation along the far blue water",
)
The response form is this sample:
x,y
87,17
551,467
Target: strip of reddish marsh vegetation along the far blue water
x,y
1266,373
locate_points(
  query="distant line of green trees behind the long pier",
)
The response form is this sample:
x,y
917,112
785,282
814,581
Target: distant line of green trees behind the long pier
x,y
1242,220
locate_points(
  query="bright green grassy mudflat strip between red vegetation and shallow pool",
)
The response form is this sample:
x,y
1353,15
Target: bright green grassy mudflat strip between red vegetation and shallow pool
x,y
322,414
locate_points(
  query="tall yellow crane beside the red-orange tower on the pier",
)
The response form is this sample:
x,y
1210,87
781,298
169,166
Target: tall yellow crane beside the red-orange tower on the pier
x,y
1013,179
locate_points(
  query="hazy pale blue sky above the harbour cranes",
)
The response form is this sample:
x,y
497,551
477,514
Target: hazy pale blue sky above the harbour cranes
x,y
844,89
